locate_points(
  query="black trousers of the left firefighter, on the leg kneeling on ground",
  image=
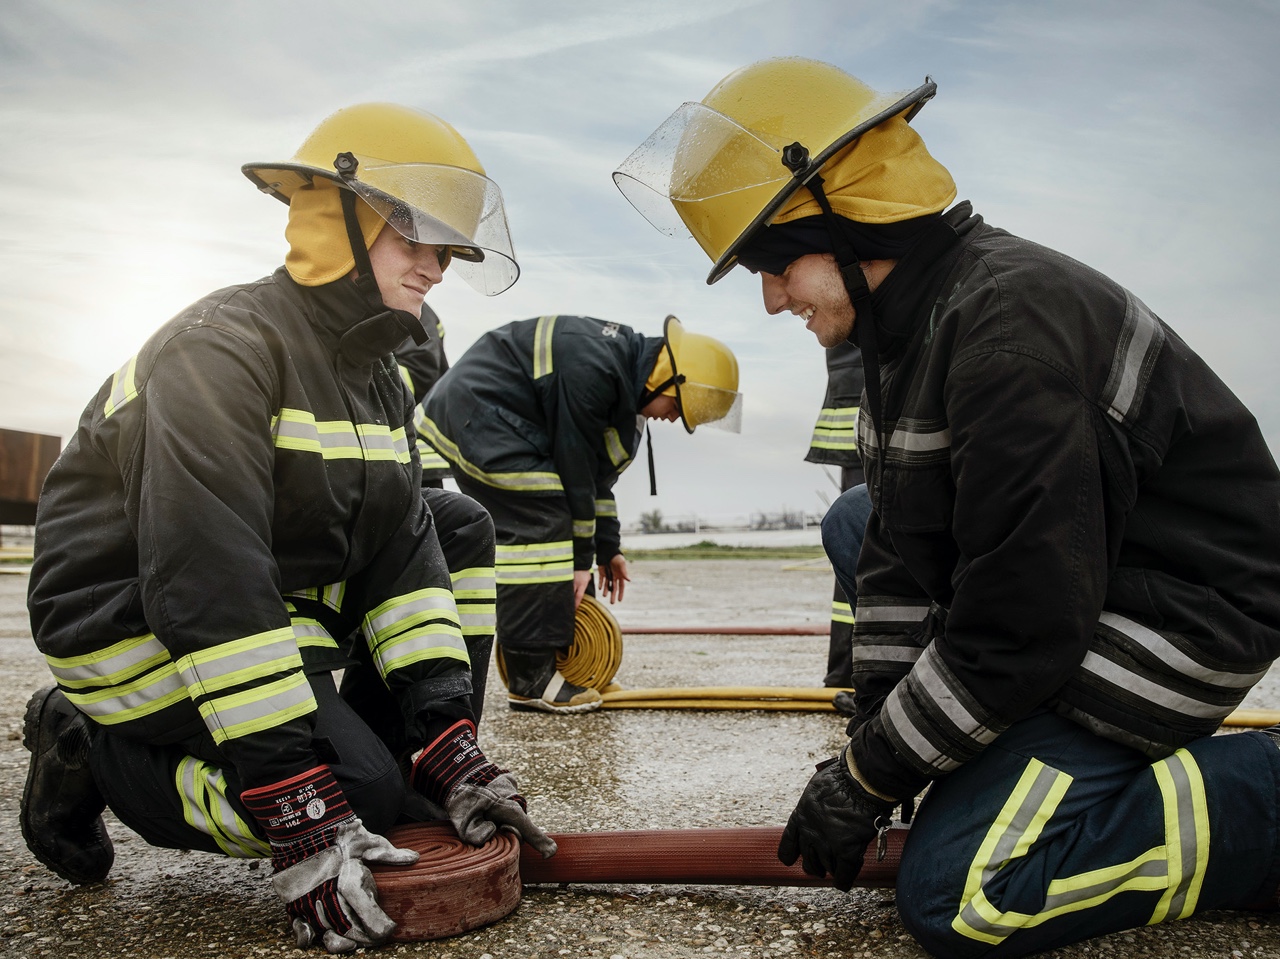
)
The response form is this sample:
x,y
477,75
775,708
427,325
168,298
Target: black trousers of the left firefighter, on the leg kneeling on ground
x,y
186,796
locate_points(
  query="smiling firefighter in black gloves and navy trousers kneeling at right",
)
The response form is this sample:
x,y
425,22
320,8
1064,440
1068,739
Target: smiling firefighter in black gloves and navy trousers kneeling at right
x,y
1072,573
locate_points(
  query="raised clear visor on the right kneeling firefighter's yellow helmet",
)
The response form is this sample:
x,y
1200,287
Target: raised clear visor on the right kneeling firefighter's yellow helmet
x,y
698,154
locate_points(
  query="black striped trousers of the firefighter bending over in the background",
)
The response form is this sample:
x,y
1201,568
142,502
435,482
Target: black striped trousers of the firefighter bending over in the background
x,y
534,567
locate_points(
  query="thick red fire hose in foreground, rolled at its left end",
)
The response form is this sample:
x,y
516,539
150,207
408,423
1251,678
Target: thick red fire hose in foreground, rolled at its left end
x,y
455,888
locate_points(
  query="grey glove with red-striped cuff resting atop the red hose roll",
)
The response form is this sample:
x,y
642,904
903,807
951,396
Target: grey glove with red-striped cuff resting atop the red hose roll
x,y
478,796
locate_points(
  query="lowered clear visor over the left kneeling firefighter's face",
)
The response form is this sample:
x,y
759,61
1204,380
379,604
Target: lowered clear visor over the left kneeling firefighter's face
x,y
445,207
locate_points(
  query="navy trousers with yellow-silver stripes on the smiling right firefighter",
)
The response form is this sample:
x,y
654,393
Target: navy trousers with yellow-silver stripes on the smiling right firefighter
x,y
1055,835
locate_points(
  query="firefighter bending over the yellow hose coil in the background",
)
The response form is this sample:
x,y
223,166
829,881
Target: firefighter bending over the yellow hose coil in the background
x,y
538,419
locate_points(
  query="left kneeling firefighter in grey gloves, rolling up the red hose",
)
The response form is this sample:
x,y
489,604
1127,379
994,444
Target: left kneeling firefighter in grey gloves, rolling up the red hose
x,y
241,499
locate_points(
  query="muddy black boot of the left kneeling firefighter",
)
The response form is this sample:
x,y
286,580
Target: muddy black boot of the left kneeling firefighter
x,y
62,809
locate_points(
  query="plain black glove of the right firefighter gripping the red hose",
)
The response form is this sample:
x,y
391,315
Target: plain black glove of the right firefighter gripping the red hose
x,y
834,823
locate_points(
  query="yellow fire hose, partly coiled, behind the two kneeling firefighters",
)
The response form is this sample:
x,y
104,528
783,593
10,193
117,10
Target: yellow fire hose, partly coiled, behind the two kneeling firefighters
x,y
596,655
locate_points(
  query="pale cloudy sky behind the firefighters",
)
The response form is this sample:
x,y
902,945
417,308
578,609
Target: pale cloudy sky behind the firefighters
x,y
1140,138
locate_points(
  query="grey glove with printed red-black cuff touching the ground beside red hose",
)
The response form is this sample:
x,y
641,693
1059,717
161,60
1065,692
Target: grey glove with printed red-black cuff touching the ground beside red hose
x,y
319,851
